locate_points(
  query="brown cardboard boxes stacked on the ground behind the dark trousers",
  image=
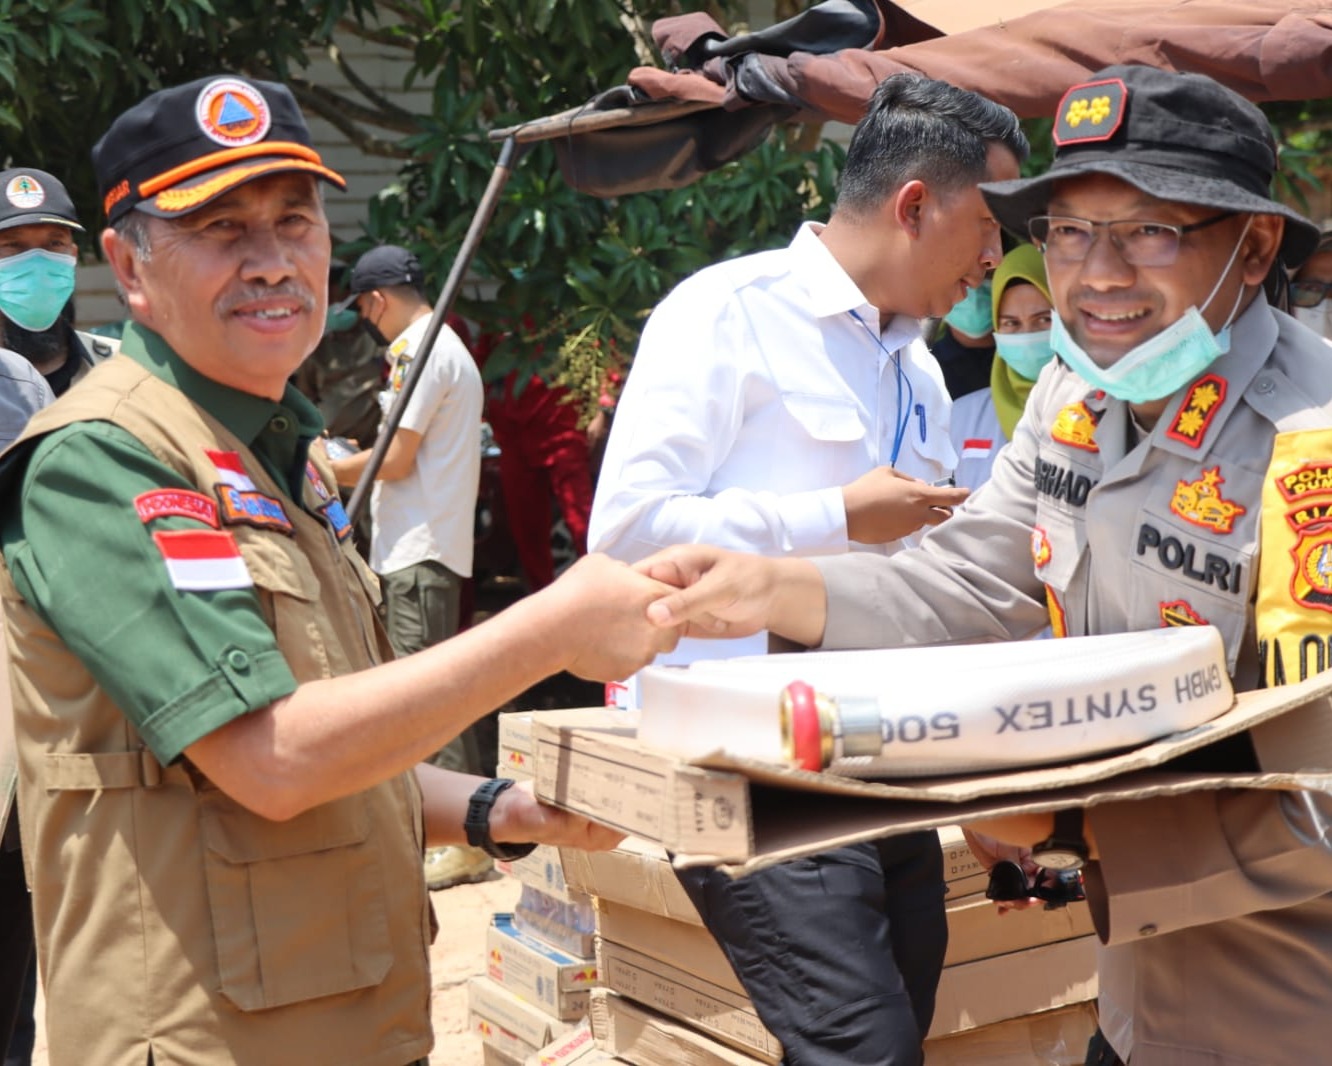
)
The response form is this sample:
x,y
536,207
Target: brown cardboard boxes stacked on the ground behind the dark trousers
x,y
1016,989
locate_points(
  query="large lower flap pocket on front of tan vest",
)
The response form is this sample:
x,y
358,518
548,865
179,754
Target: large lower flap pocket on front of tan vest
x,y
299,909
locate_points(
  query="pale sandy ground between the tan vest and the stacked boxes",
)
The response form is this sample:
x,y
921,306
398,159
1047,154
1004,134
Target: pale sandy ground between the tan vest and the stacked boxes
x,y
459,952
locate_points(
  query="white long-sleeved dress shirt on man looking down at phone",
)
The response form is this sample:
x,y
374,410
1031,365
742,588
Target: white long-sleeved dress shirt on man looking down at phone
x,y
761,387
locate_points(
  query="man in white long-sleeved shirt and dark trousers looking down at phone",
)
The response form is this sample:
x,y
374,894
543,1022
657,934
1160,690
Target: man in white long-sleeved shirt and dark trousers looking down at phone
x,y
785,404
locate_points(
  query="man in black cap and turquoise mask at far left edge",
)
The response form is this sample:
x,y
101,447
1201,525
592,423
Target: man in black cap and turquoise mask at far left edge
x,y
38,259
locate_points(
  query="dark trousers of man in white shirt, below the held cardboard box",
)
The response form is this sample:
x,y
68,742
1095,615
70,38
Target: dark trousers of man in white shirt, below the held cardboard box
x,y
842,952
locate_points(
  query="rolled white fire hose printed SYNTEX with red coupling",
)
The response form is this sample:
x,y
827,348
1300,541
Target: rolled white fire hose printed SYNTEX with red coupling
x,y
917,712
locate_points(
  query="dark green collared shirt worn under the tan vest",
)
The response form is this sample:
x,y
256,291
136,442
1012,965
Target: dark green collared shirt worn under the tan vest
x,y
85,560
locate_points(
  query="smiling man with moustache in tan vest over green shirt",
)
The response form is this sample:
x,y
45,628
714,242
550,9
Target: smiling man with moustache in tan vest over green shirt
x,y
220,782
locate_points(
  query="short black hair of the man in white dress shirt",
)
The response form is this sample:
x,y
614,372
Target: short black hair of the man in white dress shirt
x,y
921,129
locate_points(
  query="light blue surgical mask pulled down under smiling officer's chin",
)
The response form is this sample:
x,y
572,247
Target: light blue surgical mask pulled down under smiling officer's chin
x,y
1164,364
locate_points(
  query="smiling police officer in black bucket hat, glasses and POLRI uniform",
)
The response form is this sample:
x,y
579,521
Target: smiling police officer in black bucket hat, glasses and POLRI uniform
x,y
1173,468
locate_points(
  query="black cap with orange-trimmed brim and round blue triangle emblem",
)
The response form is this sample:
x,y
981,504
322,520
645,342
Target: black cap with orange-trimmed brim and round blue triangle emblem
x,y
184,147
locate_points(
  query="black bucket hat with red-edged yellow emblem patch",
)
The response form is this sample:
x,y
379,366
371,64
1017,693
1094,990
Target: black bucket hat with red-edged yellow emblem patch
x,y
1175,137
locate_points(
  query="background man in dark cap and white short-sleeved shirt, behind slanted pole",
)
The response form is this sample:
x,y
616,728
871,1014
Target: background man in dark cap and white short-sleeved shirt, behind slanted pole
x,y
426,498
